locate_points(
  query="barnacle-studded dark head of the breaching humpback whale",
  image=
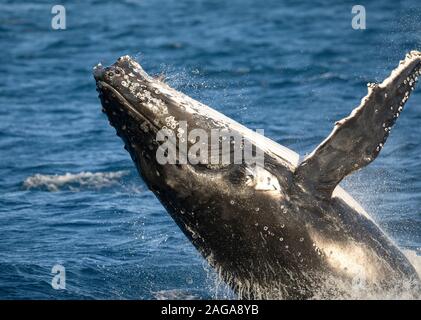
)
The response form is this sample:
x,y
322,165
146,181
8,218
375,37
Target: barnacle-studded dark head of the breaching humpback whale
x,y
147,113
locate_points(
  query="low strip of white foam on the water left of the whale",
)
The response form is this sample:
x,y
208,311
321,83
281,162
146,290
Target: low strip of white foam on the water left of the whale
x,y
73,181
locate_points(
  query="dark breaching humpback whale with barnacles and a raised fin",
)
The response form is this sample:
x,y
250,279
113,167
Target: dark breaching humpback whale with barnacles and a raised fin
x,y
301,236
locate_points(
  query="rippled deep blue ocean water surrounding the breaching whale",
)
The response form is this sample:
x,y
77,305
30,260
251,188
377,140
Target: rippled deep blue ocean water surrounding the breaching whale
x,y
69,193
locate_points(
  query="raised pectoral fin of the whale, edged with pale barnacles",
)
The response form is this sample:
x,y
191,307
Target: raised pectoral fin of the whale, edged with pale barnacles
x,y
357,140
